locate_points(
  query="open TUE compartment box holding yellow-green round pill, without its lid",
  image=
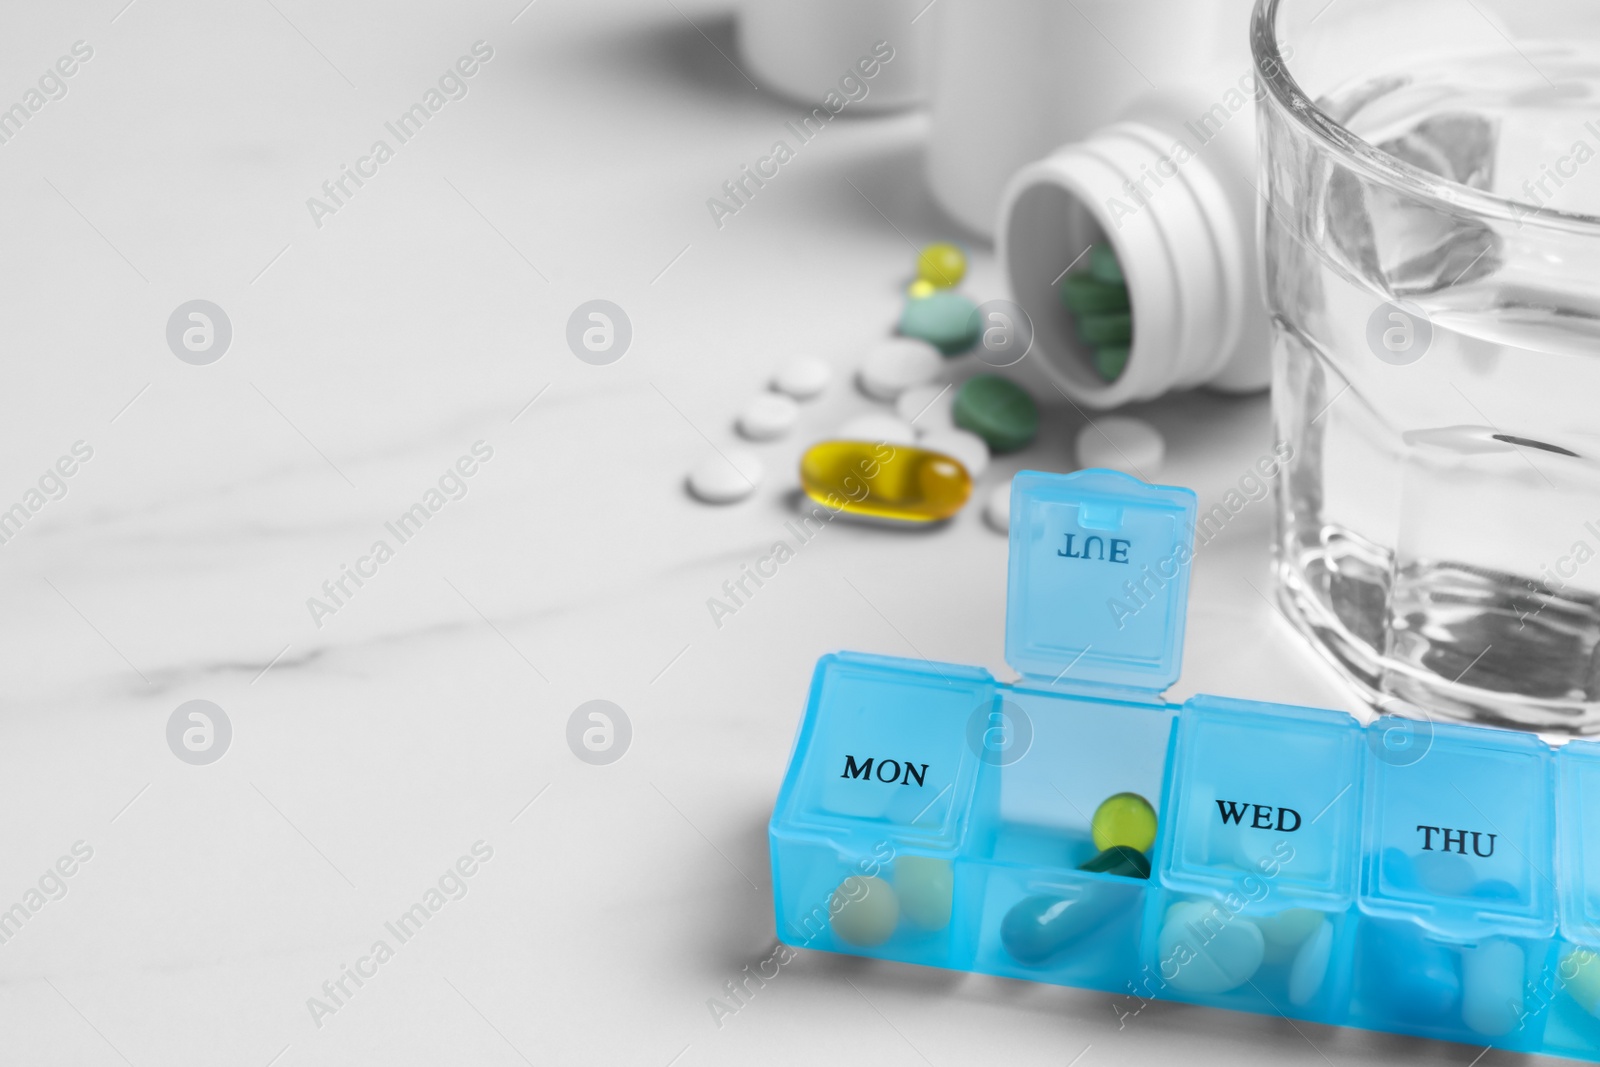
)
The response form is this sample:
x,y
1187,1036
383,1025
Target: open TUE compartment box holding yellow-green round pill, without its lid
x,y
1062,892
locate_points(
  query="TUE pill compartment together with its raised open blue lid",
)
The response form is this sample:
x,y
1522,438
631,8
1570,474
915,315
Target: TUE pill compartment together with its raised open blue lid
x,y
1097,596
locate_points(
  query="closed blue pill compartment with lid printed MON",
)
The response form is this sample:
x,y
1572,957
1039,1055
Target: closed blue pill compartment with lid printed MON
x,y
874,810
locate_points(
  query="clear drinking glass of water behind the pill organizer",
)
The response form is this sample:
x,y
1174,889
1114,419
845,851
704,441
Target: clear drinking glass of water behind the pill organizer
x,y
1431,180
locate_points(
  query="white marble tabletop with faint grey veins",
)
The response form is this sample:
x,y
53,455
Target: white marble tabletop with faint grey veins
x,y
377,745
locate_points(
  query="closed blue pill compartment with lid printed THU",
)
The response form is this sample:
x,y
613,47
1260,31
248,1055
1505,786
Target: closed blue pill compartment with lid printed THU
x,y
1458,884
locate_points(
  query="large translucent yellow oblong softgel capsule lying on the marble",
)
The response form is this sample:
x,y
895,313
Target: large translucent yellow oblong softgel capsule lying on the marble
x,y
886,481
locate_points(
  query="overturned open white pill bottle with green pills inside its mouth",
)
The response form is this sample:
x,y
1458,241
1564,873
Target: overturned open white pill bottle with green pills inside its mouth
x,y
1170,193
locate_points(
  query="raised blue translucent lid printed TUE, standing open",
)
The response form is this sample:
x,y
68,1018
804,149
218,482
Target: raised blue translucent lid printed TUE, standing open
x,y
1098,583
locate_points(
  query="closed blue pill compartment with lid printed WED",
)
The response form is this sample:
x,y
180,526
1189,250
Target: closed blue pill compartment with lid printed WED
x,y
1258,860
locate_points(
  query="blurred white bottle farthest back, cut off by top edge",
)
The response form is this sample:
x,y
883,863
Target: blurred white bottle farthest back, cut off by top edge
x,y
802,49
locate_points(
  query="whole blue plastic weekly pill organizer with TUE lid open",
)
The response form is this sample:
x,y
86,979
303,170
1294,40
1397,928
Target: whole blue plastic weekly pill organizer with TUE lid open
x,y
1409,877
